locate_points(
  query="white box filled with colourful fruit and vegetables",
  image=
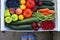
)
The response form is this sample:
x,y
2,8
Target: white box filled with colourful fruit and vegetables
x,y
29,15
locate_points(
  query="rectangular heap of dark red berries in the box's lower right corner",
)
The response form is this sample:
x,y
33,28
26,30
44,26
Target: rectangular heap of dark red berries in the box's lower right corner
x,y
47,25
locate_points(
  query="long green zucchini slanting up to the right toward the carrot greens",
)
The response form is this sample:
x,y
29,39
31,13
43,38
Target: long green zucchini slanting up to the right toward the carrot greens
x,y
25,21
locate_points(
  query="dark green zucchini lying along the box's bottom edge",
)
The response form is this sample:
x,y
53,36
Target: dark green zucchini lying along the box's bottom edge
x,y
19,27
